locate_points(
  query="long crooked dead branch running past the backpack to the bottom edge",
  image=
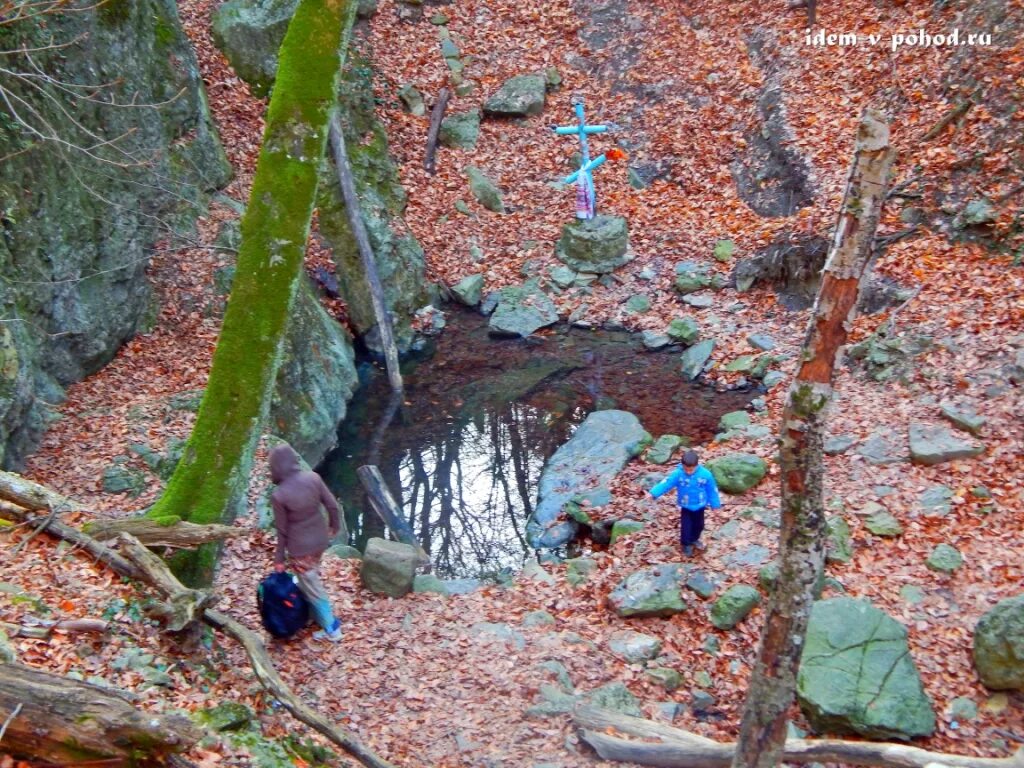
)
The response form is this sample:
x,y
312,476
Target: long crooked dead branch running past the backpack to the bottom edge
x,y
182,608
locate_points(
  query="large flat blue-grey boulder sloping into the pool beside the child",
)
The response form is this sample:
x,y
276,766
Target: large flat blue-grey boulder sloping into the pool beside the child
x,y
590,461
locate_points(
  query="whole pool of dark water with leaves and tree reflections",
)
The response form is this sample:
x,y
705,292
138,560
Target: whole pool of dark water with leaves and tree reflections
x,y
464,453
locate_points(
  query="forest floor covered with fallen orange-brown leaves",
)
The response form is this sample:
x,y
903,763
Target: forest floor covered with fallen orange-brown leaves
x,y
413,677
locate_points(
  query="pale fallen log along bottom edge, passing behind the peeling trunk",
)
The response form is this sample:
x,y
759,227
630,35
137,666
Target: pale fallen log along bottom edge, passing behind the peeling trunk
x,y
675,748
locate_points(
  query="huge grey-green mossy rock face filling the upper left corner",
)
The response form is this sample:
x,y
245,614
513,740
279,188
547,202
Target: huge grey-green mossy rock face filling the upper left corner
x,y
77,232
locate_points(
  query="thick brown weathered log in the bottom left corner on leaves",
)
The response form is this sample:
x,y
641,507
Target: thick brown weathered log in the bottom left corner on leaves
x,y
69,722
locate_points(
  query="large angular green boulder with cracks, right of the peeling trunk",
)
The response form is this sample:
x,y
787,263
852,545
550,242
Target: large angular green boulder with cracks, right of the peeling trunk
x,y
857,674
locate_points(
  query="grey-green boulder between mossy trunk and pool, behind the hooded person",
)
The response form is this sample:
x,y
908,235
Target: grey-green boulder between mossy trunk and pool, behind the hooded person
x,y
316,379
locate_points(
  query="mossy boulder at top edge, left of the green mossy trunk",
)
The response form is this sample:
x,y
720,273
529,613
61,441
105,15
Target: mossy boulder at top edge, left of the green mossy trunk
x,y
249,33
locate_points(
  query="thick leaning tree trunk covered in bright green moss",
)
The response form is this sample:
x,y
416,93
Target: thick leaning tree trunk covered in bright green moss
x,y
210,482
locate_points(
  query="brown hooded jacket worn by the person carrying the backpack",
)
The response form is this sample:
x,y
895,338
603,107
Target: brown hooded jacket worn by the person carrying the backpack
x,y
296,501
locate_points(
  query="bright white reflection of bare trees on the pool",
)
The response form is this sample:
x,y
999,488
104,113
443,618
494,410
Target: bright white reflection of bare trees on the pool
x,y
468,490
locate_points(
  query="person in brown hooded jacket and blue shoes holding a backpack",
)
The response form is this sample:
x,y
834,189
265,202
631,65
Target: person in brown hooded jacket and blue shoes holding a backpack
x,y
304,535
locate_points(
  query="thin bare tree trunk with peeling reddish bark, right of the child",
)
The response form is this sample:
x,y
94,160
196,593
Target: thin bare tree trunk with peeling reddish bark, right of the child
x,y
762,733
